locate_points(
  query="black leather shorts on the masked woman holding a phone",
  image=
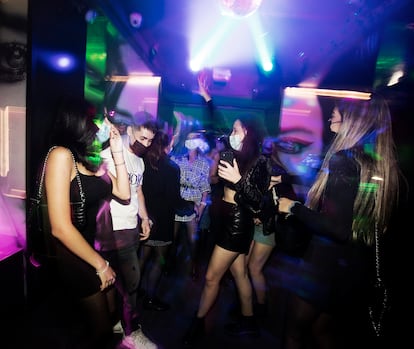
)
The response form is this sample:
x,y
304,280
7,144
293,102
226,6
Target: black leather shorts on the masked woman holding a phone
x,y
233,226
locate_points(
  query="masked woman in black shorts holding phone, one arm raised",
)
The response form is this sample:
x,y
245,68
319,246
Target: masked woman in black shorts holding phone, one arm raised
x,y
246,179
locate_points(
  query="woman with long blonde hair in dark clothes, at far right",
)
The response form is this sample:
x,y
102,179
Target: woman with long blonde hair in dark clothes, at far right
x,y
347,208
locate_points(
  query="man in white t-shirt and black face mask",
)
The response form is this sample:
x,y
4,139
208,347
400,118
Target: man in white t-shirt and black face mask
x,y
118,231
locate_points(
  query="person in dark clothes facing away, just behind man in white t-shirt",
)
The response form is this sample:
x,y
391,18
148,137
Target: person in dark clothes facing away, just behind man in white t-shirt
x,y
161,187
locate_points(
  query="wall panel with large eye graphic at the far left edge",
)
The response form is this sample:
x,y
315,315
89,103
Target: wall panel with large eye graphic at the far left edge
x,y
13,70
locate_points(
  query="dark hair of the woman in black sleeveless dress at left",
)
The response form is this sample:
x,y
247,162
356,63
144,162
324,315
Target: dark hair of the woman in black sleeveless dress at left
x,y
75,129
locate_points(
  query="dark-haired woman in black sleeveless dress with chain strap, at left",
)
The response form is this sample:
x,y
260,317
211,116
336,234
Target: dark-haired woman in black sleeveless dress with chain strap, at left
x,y
86,278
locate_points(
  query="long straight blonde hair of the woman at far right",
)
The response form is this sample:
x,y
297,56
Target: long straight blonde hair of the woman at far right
x,y
366,130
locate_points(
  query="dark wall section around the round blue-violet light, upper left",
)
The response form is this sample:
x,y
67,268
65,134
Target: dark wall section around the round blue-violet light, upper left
x,y
56,27
